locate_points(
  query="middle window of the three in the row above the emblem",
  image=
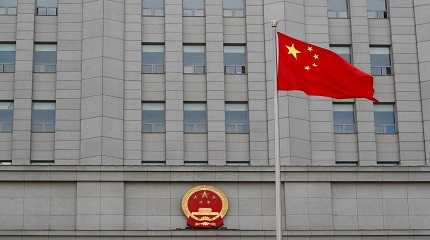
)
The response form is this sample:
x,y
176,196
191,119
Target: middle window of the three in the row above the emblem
x,y
195,118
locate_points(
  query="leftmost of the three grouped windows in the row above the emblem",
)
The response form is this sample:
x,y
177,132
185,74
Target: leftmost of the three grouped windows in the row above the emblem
x,y
153,117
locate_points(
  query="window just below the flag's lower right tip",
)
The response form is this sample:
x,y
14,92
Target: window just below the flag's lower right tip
x,y
384,119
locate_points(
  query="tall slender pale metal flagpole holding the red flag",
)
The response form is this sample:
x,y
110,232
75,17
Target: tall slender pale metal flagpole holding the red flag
x,y
278,206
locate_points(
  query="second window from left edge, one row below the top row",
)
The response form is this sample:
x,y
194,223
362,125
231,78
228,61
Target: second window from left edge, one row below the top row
x,y
45,58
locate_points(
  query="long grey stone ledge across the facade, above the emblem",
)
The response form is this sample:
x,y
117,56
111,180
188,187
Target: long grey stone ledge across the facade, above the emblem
x,y
212,174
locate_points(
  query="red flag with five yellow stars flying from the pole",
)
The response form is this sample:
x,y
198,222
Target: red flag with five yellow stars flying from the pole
x,y
319,72
